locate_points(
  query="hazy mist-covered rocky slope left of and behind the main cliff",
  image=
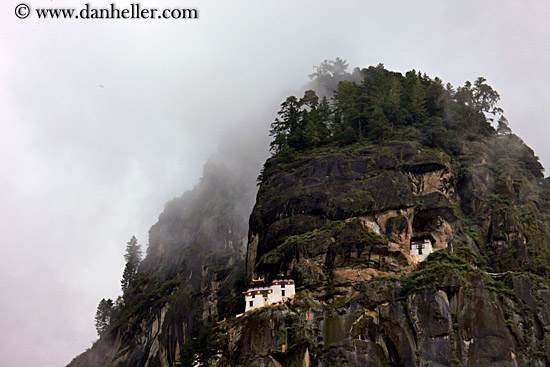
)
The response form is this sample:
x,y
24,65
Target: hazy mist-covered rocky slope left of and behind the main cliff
x,y
193,273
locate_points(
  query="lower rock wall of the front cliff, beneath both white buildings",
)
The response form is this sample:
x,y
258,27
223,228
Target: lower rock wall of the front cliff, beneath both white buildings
x,y
456,316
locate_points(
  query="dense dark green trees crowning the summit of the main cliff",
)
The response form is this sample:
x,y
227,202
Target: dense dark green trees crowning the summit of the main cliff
x,y
382,105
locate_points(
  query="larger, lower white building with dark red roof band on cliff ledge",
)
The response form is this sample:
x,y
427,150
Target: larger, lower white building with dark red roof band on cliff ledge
x,y
261,294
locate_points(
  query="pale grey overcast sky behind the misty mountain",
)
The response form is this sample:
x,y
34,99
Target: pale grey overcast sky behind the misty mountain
x,y
101,122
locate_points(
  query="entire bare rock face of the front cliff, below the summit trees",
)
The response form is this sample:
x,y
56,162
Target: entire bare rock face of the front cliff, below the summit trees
x,y
340,222
